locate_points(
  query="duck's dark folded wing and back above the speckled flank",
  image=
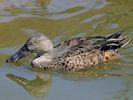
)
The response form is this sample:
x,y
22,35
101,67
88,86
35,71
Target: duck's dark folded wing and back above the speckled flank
x,y
101,43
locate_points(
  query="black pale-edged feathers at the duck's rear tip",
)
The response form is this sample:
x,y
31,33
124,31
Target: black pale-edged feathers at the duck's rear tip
x,y
114,41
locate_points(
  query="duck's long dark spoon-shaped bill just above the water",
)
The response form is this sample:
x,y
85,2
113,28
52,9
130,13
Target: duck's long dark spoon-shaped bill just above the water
x,y
23,52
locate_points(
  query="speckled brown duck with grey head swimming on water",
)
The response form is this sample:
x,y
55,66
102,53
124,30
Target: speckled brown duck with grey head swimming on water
x,y
72,55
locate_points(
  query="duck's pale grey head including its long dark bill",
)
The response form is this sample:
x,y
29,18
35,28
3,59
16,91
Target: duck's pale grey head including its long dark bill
x,y
36,44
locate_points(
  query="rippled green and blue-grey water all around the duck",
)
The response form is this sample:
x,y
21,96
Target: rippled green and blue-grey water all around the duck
x,y
61,20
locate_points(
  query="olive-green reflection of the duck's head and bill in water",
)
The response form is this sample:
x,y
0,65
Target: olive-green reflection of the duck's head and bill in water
x,y
38,87
